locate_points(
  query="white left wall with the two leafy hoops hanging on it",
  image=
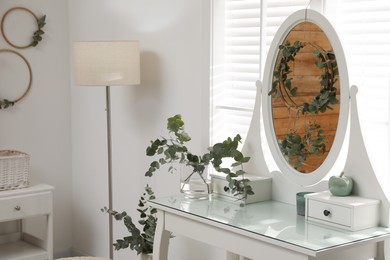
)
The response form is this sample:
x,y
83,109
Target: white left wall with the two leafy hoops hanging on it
x,y
40,124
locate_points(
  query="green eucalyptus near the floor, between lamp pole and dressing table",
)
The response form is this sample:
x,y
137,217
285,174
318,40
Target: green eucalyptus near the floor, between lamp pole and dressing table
x,y
140,239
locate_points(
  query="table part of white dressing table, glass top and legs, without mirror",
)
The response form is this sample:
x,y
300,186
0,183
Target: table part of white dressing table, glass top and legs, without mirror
x,y
264,230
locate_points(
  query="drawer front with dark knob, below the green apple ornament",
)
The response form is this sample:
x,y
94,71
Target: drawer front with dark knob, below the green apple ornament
x,y
329,212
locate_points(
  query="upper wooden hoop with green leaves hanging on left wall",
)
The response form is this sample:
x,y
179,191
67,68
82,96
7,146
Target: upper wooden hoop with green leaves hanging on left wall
x,y
37,36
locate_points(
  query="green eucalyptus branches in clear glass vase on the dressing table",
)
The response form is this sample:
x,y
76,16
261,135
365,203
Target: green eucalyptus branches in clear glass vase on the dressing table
x,y
172,150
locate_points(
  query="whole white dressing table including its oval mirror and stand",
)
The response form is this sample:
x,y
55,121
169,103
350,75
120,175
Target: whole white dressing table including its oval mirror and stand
x,y
271,228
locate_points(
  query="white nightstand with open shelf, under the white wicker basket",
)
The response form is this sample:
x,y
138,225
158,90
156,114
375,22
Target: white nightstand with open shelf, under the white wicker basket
x,y
20,205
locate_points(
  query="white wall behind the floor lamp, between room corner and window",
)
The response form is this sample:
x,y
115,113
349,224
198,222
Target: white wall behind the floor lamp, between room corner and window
x,y
174,41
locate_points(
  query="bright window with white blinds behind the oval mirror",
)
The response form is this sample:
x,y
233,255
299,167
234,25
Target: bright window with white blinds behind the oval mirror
x,y
241,35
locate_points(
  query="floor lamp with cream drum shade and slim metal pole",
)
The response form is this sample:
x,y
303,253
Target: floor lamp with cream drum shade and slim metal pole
x,y
111,63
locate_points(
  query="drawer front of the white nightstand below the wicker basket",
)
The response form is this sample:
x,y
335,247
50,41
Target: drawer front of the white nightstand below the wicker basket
x,y
19,207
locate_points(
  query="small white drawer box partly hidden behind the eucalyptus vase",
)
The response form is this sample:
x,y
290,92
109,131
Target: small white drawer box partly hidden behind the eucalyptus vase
x,y
261,186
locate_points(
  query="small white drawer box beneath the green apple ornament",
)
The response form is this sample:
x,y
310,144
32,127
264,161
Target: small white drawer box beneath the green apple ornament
x,y
352,213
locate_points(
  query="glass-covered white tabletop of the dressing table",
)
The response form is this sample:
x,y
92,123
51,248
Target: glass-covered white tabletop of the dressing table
x,y
270,219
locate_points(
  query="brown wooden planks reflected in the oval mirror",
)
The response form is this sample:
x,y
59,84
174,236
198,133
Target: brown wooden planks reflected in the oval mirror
x,y
306,76
